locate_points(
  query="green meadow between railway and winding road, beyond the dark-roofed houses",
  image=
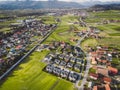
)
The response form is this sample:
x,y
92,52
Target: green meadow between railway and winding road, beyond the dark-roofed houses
x,y
64,32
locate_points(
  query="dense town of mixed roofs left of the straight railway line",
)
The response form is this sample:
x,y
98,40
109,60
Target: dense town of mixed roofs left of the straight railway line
x,y
15,44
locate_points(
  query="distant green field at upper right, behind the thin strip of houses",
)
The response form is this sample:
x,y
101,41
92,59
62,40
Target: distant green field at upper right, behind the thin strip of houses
x,y
95,17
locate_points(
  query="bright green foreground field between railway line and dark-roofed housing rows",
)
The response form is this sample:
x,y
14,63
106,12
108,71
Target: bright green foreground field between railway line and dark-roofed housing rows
x,y
29,76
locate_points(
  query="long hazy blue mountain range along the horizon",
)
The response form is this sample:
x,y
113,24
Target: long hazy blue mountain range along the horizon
x,y
37,5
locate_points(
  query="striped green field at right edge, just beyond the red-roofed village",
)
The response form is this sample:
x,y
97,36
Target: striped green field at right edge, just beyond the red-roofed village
x,y
111,35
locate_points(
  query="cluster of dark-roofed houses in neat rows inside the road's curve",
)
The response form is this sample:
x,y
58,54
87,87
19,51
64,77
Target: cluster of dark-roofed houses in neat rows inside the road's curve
x,y
67,60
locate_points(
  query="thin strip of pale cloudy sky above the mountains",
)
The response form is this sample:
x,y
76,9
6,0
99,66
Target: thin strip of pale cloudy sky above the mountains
x,y
72,0
